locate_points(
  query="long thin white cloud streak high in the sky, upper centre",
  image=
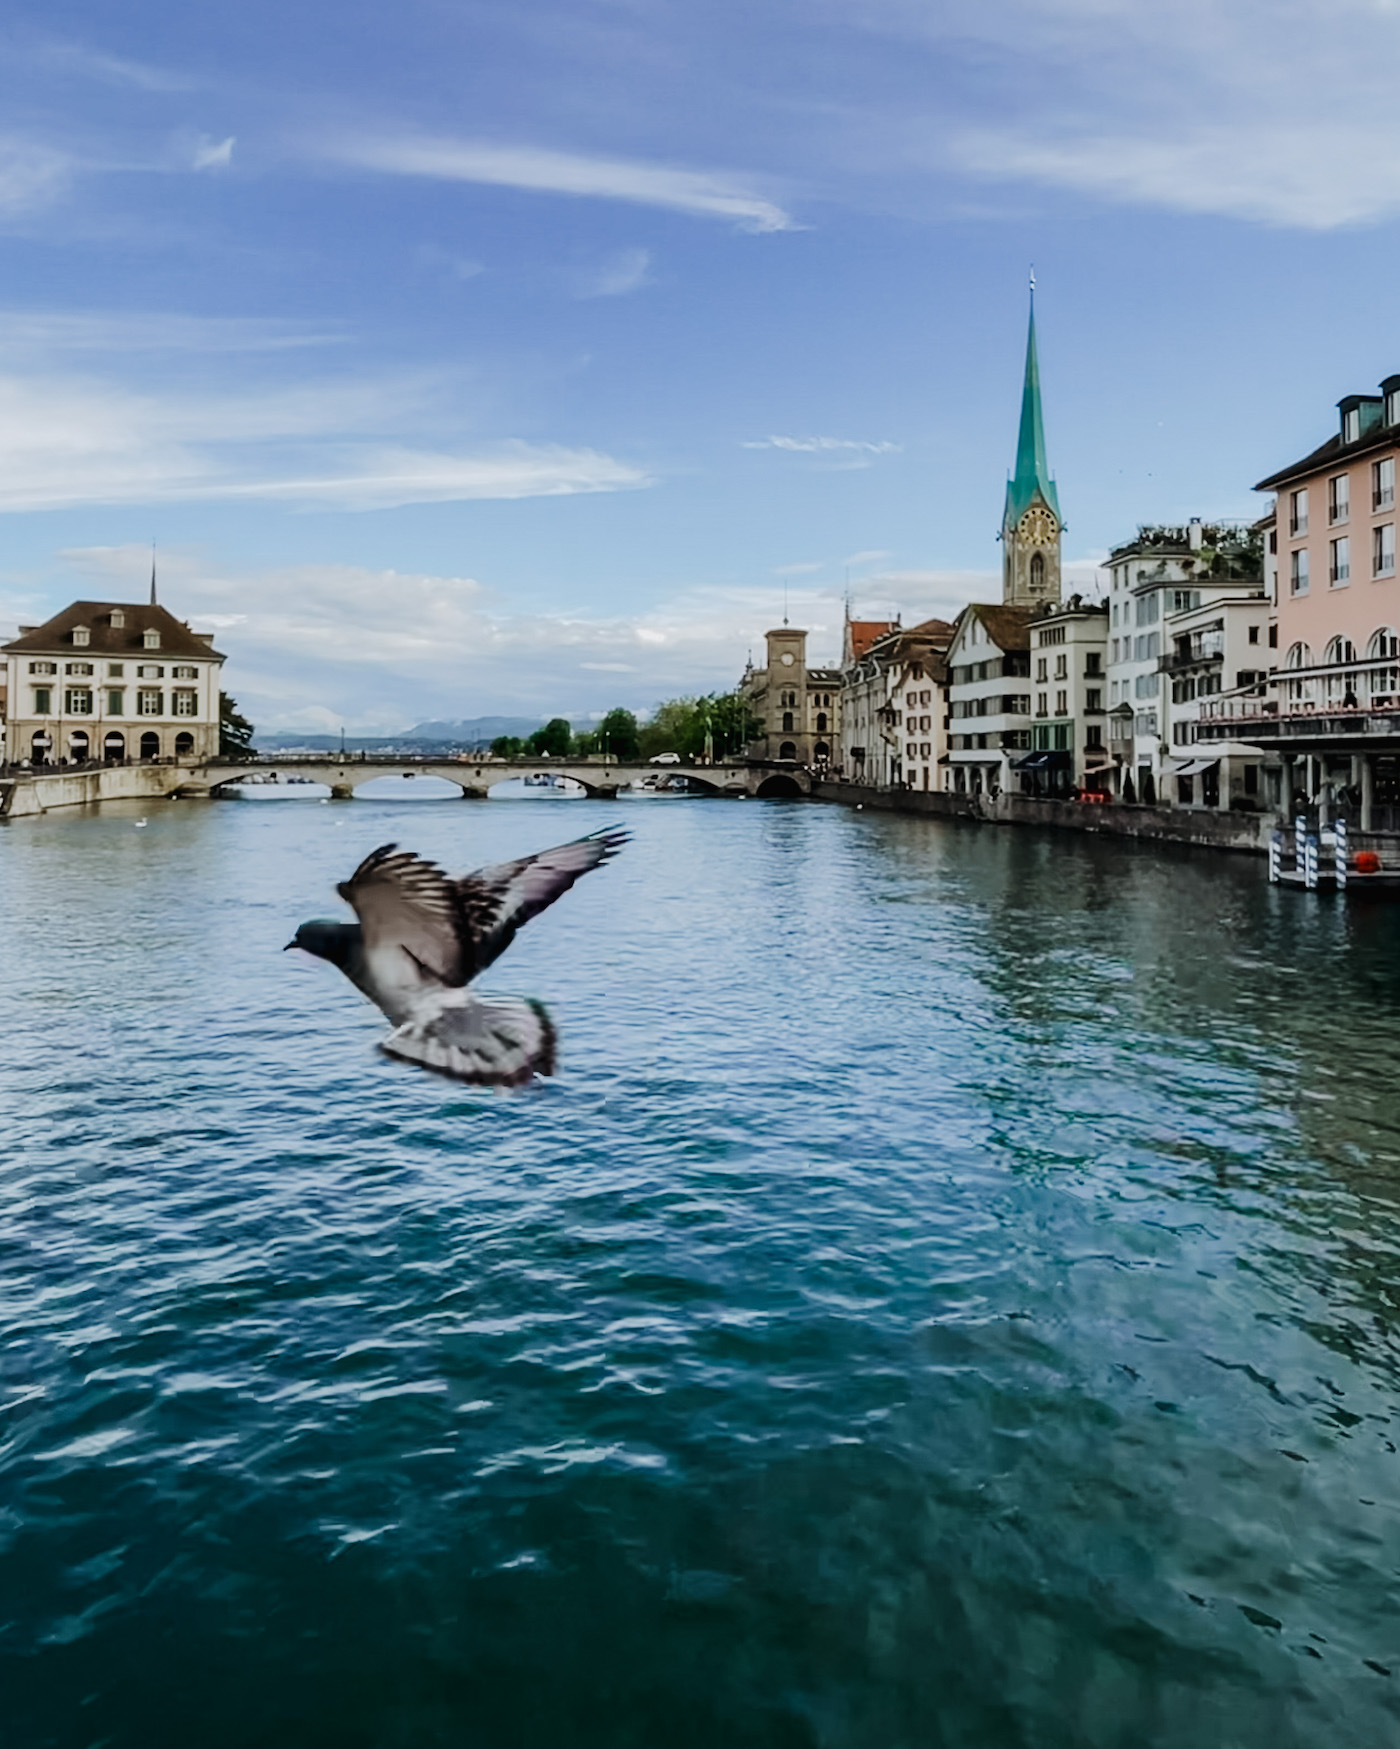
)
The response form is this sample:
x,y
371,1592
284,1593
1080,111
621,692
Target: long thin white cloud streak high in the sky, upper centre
x,y
545,172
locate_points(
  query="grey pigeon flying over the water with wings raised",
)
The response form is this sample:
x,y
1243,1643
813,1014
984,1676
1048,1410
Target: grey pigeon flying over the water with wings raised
x,y
423,938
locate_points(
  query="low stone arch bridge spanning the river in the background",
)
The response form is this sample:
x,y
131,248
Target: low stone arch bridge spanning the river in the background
x,y
475,777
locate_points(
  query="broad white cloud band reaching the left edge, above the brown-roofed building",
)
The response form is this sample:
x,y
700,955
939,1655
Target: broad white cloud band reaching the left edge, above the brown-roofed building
x,y
71,442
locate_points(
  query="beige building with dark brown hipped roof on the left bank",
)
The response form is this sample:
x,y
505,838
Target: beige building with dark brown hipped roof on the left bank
x,y
111,681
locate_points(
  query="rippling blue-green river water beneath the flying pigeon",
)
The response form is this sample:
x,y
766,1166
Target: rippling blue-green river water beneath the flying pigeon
x,y
948,1299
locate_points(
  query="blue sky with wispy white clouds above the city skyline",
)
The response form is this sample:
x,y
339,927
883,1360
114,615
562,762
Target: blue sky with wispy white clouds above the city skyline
x,y
472,358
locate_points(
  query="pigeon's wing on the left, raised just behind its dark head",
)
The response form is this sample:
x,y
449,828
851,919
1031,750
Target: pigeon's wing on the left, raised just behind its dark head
x,y
412,924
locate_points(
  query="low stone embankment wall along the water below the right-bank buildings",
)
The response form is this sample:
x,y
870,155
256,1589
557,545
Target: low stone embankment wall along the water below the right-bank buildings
x,y
1180,826
